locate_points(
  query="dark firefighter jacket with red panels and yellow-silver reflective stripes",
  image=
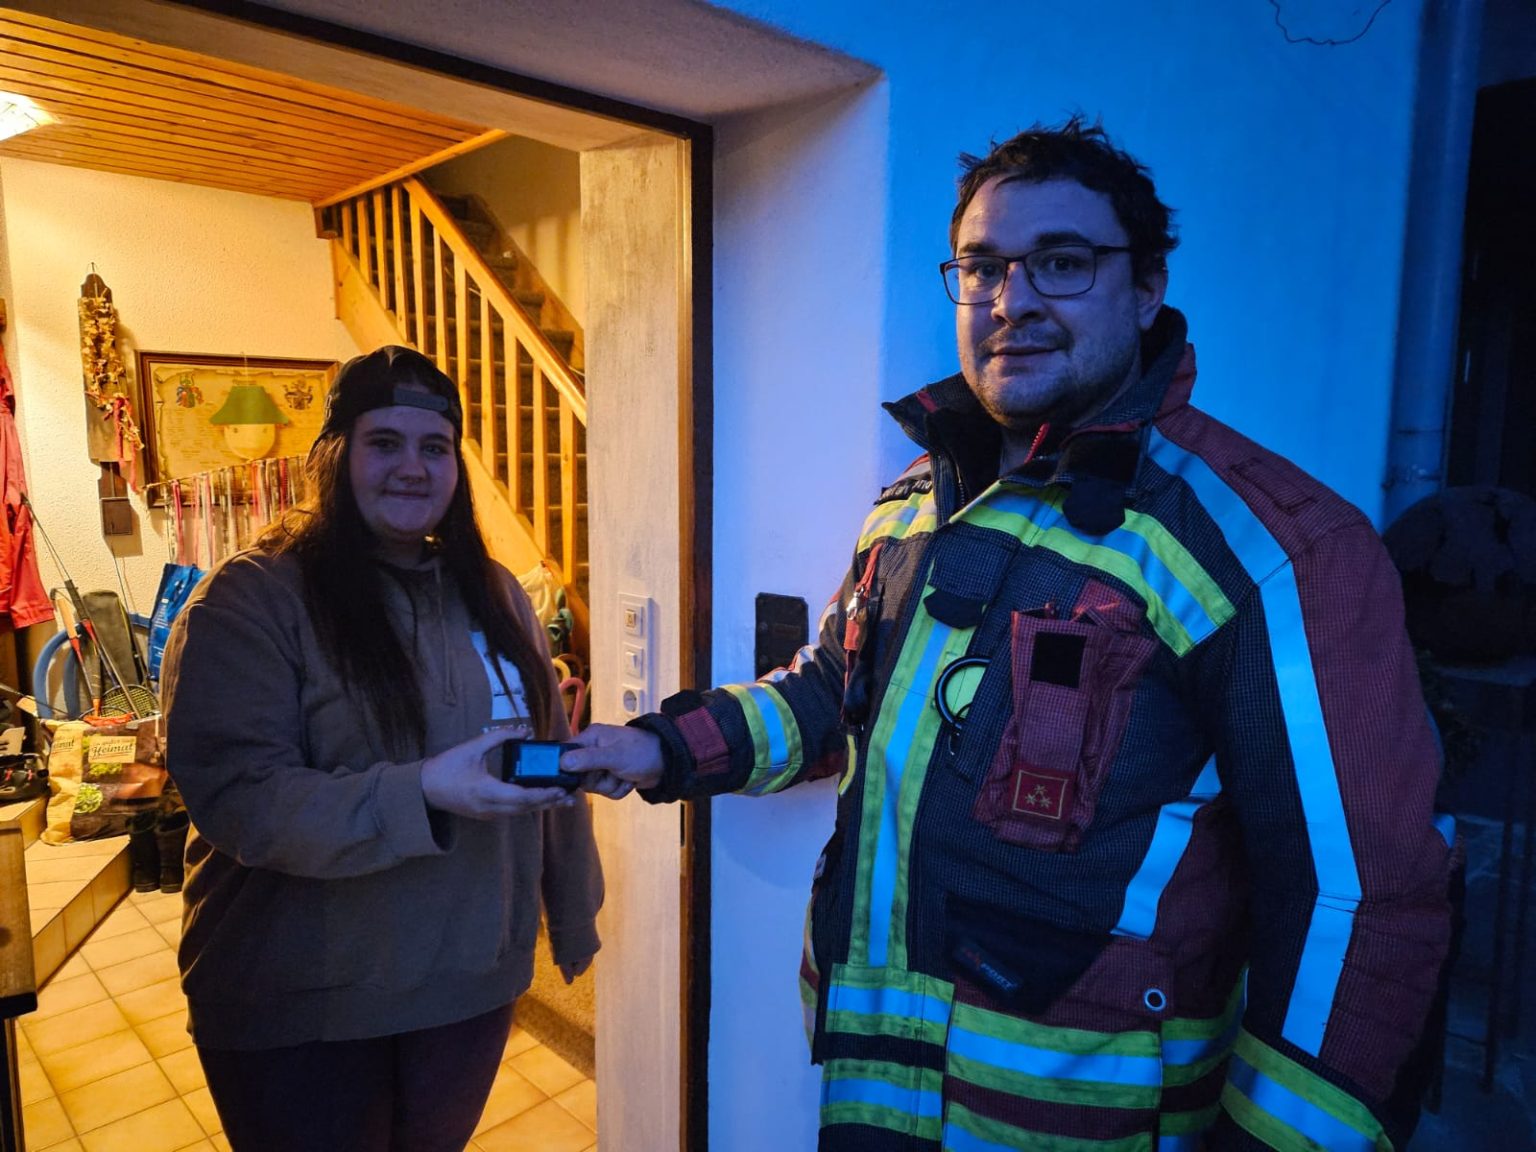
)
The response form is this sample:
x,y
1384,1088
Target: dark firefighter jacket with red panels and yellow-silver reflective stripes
x,y
1134,839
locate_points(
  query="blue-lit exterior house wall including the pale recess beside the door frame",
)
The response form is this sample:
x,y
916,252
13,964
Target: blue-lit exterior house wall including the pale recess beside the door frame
x,y
1288,165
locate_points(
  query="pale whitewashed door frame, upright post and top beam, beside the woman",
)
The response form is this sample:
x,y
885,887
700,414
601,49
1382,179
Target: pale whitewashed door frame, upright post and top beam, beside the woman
x,y
646,376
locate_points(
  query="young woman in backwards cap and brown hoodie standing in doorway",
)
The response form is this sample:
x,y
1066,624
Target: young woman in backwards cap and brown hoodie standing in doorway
x,y
363,890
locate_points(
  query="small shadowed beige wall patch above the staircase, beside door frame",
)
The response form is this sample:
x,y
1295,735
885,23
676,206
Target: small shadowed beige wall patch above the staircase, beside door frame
x,y
534,191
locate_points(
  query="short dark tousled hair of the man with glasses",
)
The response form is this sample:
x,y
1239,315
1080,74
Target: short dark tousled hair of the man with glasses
x,y
1084,153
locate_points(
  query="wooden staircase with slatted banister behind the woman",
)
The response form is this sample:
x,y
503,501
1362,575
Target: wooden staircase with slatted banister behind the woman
x,y
439,276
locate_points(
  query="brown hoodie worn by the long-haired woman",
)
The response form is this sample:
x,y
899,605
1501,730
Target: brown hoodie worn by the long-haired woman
x,y
322,901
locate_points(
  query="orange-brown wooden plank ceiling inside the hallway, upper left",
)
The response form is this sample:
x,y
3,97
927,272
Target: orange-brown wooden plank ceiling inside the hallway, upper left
x,y
124,105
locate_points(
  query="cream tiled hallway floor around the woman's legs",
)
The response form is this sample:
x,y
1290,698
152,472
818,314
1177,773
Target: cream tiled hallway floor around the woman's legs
x,y
107,1064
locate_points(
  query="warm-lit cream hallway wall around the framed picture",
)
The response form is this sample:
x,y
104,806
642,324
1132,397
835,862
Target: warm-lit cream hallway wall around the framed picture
x,y
191,270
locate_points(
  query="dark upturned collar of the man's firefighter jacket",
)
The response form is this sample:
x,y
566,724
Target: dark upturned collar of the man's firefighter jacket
x,y
1097,462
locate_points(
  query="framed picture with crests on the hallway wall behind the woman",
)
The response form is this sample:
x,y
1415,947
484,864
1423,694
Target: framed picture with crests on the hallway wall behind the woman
x,y
213,412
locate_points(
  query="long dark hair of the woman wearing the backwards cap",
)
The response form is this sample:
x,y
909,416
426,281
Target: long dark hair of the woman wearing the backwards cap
x,y
343,583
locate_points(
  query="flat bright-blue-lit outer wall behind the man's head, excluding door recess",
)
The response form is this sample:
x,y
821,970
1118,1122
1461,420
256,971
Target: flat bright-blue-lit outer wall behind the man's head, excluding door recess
x,y
1286,162
